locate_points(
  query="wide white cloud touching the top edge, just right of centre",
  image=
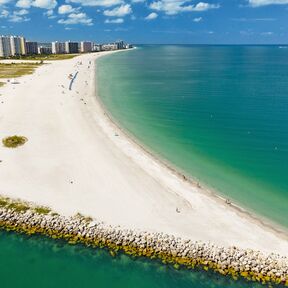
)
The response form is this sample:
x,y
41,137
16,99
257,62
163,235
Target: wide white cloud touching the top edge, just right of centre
x,y
172,7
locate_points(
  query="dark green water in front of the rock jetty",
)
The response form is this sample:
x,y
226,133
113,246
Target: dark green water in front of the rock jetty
x,y
44,263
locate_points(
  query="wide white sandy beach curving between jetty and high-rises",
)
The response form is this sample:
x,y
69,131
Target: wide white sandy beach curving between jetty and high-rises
x,y
77,160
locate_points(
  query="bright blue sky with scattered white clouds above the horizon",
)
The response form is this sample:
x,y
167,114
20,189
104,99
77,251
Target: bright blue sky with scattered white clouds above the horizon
x,y
148,21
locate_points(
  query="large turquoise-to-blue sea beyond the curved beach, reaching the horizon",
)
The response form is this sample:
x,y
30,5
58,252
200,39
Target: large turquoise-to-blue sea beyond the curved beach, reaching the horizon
x,y
219,113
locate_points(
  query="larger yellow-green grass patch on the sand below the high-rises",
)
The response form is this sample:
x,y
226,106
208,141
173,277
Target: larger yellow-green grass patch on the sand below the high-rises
x,y
14,70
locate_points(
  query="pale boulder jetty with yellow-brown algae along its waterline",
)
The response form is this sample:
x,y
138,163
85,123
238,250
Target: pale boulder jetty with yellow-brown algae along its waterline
x,y
249,264
